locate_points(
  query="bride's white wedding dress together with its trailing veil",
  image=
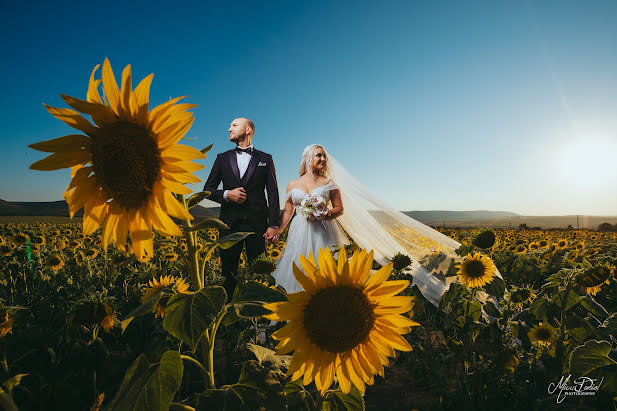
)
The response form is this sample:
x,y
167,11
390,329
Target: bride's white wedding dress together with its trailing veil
x,y
373,225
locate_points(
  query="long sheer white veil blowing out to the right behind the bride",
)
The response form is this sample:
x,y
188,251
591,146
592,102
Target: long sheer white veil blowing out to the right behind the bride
x,y
374,225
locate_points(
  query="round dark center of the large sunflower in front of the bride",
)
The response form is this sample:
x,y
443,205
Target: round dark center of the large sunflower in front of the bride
x,y
338,318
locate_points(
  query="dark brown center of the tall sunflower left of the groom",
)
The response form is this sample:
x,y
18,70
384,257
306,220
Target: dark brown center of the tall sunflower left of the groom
x,y
126,162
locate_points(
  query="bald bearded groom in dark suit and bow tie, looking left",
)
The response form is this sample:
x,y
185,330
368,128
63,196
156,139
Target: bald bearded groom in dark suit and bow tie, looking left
x,y
245,173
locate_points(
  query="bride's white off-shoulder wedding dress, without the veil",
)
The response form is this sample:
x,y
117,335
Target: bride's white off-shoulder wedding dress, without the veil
x,y
306,236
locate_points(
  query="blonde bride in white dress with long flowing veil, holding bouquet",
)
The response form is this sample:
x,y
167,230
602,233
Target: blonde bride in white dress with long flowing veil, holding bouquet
x,y
357,213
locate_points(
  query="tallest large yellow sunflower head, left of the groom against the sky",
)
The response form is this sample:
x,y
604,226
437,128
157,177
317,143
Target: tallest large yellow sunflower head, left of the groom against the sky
x,y
127,165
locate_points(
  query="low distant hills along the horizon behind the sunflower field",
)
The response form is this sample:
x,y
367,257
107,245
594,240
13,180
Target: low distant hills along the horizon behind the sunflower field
x,y
485,218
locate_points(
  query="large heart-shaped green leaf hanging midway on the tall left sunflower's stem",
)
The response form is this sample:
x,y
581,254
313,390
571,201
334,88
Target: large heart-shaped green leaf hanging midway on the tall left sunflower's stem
x,y
187,316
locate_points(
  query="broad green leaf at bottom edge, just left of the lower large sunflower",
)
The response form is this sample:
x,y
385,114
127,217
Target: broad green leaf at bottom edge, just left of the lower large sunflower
x,y
257,388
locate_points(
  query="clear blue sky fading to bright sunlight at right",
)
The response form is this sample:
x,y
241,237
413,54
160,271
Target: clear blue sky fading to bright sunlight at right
x,y
475,105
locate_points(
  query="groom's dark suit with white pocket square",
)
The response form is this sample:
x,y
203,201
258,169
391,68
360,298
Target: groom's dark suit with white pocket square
x,y
254,214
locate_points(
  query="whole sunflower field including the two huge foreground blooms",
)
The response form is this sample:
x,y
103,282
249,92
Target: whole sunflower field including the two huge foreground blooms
x,y
126,311
